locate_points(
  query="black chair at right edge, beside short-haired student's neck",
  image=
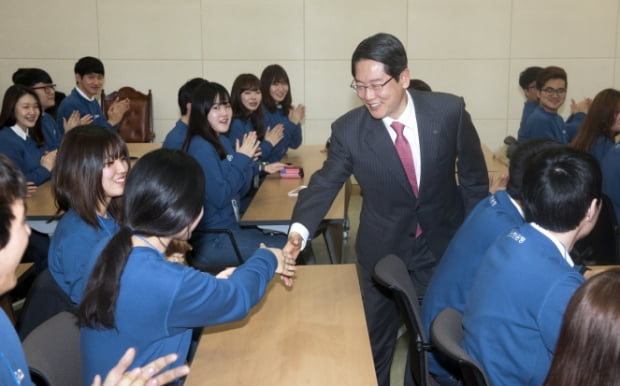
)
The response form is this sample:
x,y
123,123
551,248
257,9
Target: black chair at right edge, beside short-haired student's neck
x,y
602,245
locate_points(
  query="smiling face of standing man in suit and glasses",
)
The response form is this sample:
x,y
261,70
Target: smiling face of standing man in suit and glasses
x,y
382,95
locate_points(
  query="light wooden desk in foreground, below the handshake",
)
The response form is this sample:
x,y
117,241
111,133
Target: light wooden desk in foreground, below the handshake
x,y
301,336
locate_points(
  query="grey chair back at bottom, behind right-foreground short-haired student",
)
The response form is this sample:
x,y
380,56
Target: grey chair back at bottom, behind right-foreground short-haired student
x,y
446,335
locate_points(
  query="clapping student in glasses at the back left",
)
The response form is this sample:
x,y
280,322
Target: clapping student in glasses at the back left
x,y
44,87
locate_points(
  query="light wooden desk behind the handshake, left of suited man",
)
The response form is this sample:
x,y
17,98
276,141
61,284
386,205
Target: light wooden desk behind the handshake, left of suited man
x,y
272,206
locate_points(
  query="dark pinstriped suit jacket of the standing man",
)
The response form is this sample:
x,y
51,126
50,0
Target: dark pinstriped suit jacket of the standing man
x,y
360,145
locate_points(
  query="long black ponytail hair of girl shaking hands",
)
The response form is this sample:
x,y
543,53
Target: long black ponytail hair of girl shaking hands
x,y
164,194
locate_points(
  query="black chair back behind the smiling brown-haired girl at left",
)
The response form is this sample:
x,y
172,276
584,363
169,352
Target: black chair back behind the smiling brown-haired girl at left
x,y
45,299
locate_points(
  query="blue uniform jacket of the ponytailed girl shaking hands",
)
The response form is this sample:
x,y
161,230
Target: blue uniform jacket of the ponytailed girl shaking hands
x,y
160,302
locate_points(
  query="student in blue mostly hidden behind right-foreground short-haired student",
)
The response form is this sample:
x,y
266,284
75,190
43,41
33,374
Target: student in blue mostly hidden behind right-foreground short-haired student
x,y
491,218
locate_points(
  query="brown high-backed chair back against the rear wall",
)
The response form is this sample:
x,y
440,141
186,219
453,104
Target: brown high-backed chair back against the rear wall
x,y
137,123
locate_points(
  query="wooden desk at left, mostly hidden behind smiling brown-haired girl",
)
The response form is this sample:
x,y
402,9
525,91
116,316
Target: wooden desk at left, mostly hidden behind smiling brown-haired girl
x,y
41,205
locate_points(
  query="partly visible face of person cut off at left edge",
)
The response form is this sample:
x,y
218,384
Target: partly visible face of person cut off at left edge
x,y
11,254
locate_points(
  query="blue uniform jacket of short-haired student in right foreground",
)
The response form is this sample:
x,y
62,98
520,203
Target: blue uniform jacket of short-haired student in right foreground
x,y
514,311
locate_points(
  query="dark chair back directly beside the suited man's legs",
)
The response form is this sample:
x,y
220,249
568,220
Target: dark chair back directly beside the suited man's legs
x,y
392,273
